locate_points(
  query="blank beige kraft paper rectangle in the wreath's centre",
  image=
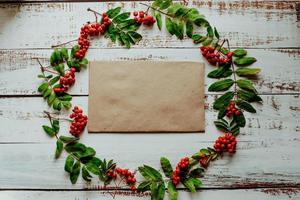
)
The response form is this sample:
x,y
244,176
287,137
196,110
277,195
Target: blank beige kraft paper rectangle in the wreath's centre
x,y
146,96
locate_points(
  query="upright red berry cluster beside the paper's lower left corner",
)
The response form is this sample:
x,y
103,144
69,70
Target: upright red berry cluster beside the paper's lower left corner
x,y
79,121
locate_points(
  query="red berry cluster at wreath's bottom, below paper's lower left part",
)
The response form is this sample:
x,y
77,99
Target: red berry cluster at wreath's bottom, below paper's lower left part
x,y
128,175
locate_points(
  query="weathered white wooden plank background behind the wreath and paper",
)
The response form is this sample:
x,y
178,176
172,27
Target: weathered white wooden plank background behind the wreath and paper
x,y
267,163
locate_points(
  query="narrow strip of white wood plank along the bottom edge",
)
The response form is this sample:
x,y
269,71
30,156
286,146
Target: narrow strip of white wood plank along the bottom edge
x,y
265,194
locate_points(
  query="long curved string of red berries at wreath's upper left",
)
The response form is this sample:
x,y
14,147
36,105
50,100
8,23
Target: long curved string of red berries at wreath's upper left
x,y
91,29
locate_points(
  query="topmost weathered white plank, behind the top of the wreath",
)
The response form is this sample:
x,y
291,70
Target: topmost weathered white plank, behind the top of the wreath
x,y
246,23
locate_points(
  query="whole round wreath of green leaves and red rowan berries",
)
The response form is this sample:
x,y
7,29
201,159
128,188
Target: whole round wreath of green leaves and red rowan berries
x,y
231,72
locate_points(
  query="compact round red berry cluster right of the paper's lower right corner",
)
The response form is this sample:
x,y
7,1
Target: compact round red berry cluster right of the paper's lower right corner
x,y
226,143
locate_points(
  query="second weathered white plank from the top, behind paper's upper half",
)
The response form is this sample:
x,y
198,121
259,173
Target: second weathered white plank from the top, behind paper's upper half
x,y
18,71
